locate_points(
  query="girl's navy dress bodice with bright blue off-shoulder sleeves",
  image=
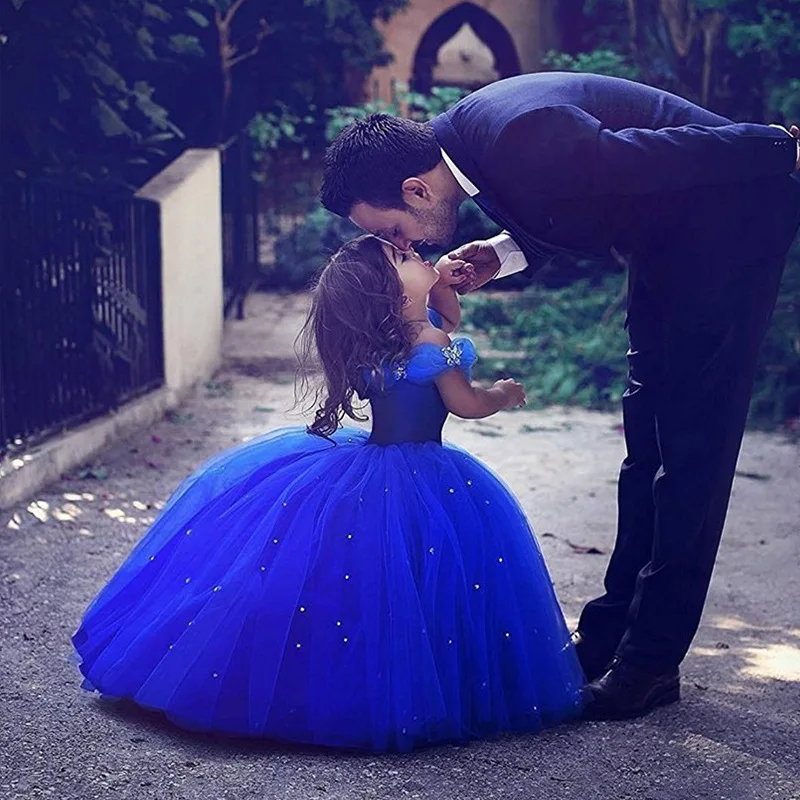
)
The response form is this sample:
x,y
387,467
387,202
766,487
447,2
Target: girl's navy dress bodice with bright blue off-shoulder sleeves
x,y
410,408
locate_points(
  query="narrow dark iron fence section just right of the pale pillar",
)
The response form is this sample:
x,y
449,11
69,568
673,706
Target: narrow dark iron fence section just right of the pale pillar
x,y
240,229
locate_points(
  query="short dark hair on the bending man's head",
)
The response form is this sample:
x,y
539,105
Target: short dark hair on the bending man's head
x,y
369,160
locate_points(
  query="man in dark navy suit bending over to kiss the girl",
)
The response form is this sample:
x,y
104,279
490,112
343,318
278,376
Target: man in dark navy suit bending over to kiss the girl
x,y
704,211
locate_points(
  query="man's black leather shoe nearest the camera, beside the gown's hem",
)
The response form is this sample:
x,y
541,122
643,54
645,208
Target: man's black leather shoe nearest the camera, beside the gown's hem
x,y
626,691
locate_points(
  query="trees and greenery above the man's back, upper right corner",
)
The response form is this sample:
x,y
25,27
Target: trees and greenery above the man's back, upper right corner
x,y
738,57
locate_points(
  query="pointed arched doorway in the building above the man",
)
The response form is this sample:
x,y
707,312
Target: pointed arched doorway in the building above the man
x,y
471,35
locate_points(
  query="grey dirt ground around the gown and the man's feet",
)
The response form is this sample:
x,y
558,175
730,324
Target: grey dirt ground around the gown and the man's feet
x,y
735,734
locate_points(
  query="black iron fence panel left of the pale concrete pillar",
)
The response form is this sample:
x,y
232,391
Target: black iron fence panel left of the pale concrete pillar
x,y
80,306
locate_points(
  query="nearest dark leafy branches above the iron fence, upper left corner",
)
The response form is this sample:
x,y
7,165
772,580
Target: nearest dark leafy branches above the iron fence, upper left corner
x,y
75,81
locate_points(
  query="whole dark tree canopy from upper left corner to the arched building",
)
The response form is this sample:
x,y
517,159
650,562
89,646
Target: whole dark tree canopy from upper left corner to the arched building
x,y
90,83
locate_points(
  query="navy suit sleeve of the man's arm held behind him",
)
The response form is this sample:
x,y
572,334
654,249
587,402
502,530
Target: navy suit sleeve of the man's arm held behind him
x,y
564,152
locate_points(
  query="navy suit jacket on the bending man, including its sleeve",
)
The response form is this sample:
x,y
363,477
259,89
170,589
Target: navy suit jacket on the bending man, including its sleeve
x,y
580,163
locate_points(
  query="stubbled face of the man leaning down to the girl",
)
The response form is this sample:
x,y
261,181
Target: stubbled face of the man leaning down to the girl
x,y
431,222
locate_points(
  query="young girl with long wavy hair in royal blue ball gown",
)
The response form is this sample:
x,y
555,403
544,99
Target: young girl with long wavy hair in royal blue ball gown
x,y
332,586
